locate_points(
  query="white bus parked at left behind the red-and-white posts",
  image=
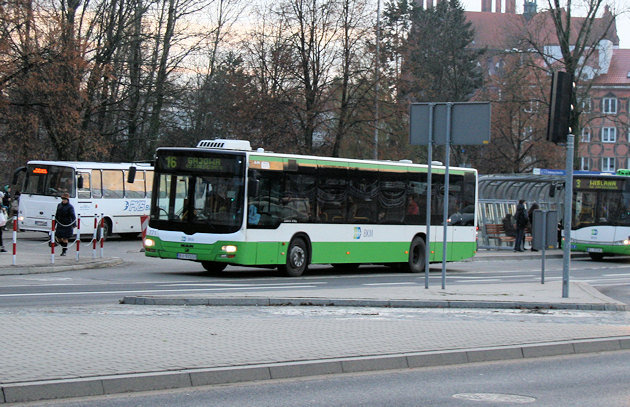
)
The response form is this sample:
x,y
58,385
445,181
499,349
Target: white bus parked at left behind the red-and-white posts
x,y
94,188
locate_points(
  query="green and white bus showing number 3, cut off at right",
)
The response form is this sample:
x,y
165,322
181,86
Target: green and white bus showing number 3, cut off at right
x,y
601,214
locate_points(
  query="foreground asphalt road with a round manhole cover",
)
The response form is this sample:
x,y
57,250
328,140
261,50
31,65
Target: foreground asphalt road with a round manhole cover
x,y
591,380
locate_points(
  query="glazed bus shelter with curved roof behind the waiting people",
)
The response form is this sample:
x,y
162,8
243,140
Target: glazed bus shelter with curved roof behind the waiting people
x,y
499,194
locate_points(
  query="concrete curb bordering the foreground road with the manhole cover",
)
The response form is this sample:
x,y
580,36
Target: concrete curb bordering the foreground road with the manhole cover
x,y
150,381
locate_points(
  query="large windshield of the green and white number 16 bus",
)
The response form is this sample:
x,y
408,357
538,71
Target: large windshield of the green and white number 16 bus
x,y
204,200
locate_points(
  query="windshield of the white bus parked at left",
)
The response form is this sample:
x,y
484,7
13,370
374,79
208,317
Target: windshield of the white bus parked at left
x,y
51,180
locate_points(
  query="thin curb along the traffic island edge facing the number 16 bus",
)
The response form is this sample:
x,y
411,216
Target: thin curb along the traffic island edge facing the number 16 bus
x,y
329,302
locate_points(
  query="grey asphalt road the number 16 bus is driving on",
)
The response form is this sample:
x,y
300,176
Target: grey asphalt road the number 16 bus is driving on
x,y
142,275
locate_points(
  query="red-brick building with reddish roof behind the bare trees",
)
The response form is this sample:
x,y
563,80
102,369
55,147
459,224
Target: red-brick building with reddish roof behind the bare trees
x,y
604,139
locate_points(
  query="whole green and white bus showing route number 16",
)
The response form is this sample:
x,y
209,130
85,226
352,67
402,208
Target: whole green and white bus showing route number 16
x,y
223,203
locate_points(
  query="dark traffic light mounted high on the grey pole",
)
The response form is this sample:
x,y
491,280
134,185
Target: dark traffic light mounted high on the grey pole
x,y
560,108
